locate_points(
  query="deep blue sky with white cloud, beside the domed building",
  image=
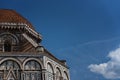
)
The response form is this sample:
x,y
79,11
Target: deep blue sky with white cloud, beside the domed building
x,y
84,32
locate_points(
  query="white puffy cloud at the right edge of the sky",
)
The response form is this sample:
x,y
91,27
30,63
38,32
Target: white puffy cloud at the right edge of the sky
x,y
110,69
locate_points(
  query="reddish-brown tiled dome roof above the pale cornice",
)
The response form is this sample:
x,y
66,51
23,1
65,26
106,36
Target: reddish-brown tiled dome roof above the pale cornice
x,y
11,16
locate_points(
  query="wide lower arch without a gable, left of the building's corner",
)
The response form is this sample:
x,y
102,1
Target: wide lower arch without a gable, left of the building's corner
x,y
32,71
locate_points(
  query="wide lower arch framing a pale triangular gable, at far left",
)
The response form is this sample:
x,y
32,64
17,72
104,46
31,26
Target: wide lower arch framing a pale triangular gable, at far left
x,y
11,70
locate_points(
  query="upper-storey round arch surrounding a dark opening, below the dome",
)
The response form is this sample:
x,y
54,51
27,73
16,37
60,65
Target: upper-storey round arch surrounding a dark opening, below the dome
x,y
9,42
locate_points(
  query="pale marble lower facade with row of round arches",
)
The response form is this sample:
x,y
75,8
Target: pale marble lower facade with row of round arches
x,y
15,67
